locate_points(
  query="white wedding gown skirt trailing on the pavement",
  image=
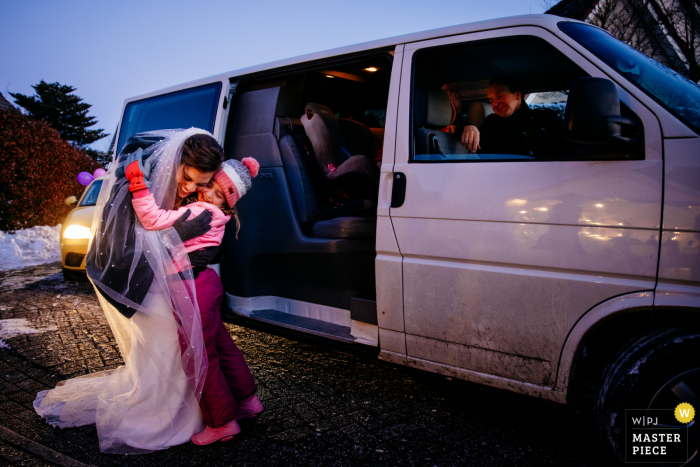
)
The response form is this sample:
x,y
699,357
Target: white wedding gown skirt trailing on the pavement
x,y
145,405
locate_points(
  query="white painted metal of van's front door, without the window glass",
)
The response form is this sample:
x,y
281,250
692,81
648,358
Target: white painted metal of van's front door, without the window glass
x,y
503,258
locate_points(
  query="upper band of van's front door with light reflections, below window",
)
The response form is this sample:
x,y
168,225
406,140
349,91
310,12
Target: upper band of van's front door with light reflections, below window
x,y
576,193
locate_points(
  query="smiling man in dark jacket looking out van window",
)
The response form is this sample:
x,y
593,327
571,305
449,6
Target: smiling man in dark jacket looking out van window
x,y
514,128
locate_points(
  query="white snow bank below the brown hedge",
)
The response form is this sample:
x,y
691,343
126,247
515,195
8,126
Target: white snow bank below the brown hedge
x,y
29,247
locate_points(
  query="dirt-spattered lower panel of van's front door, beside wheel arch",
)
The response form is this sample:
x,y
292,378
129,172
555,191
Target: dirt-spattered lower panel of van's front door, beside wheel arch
x,y
526,312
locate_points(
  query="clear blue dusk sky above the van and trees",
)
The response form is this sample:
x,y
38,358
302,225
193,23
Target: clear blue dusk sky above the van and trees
x,y
112,50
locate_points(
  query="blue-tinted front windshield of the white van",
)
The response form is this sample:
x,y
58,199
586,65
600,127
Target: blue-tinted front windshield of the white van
x,y
677,93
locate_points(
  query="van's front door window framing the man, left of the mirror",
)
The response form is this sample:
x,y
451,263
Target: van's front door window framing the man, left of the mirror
x,y
493,100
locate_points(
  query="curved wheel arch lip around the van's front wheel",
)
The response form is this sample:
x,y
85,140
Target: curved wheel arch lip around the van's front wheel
x,y
622,304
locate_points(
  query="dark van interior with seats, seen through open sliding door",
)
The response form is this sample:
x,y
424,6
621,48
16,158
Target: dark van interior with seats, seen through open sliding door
x,y
295,242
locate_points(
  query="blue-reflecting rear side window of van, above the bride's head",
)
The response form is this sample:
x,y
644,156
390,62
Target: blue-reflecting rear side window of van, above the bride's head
x,y
195,107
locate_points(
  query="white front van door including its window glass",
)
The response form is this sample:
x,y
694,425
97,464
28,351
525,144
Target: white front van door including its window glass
x,y
503,253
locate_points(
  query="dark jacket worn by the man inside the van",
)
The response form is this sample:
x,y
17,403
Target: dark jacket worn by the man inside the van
x,y
536,133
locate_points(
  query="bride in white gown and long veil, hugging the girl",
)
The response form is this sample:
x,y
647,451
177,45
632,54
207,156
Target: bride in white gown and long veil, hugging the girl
x,y
145,287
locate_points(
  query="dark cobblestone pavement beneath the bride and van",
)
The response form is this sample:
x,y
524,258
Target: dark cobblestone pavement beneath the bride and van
x,y
324,407
